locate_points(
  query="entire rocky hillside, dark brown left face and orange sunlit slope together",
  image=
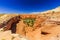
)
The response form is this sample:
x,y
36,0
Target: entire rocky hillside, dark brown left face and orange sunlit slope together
x,y
43,26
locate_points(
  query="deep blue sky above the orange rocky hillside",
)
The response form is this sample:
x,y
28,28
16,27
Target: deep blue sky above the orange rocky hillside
x,y
27,6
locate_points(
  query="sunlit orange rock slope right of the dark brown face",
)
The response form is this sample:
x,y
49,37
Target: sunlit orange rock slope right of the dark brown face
x,y
46,26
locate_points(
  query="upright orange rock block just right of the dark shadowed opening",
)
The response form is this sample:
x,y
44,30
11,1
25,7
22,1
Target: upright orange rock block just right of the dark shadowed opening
x,y
20,29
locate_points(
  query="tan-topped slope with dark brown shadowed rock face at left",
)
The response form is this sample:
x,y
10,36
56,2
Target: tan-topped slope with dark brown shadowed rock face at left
x,y
9,21
